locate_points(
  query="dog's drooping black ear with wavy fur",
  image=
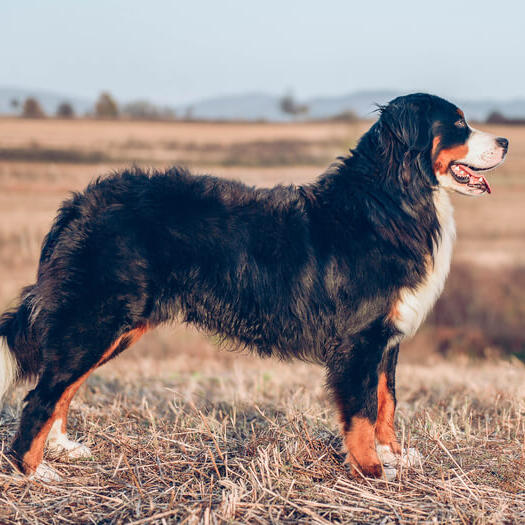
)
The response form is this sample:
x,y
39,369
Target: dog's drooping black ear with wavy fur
x,y
405,137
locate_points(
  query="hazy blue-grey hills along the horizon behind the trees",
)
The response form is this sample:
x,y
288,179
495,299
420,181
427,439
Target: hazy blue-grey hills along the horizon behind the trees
x,y
263,106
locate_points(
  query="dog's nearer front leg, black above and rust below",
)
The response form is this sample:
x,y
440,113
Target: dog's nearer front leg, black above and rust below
x,y
353,379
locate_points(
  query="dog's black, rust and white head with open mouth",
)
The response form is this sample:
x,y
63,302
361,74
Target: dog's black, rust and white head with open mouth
x,y
426,137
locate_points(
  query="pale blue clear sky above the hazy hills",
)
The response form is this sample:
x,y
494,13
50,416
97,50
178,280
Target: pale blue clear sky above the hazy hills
x,y
175,52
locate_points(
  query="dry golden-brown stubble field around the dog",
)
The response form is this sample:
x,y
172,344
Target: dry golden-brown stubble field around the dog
x,y
183,432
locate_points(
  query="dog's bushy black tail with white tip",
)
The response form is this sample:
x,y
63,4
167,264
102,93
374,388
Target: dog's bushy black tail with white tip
x,y
19,352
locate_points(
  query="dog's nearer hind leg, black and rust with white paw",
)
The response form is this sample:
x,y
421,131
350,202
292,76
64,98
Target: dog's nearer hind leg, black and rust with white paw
x,y
47,405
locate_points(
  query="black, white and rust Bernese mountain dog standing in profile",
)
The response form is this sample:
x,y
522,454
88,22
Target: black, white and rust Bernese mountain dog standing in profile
x,y
337,272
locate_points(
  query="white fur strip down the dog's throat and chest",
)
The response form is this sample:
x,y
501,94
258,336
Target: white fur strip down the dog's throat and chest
x,y
415,303
